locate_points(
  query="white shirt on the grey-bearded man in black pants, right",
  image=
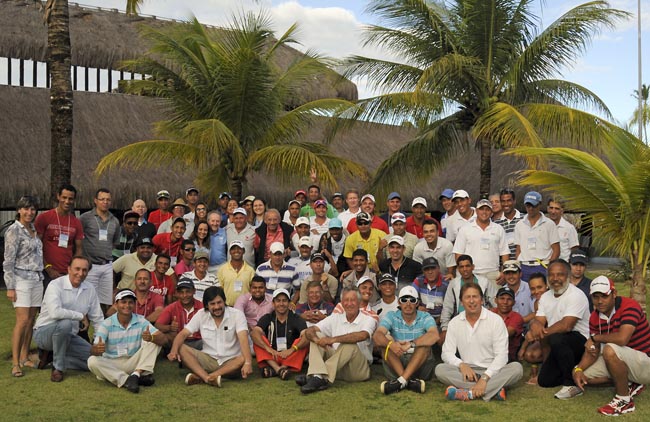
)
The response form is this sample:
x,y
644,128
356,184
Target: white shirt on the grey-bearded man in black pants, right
x,y
572,303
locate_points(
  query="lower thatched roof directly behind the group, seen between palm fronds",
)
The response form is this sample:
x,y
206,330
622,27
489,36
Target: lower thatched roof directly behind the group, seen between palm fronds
x,y
105,122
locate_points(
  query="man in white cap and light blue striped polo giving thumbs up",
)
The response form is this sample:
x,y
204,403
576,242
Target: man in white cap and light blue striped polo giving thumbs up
x,y
125,346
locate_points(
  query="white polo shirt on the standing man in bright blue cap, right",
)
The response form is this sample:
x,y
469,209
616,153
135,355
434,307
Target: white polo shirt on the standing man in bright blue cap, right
x,y
535,241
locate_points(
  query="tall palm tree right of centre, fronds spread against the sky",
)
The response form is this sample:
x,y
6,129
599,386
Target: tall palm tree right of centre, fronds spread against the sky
x,y
474,73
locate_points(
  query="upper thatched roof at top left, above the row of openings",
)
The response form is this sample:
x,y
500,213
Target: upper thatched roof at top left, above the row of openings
x,y
104,38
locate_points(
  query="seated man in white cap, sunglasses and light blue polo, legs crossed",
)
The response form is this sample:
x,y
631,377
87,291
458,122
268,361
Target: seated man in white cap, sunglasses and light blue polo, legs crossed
x,y
408,360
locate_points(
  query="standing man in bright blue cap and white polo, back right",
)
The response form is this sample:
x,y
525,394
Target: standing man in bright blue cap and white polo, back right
x,y
536,238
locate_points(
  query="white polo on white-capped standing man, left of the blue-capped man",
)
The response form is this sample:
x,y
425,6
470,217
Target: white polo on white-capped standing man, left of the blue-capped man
x,y
484,246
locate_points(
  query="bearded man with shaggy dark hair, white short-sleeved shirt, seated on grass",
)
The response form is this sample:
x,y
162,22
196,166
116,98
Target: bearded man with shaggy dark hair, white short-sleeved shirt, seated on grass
x,y
224,331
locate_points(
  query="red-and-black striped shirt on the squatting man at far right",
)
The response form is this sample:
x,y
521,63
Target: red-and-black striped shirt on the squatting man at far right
x,y
626,311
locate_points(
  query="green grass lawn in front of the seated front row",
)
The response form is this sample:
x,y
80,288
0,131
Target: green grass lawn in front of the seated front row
x,y
81,397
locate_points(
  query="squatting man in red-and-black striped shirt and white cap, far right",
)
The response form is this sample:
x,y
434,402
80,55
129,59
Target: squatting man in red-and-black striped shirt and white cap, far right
x,y
618,348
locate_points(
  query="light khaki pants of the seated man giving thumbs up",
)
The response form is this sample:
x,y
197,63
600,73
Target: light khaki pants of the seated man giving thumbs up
x,y
117,370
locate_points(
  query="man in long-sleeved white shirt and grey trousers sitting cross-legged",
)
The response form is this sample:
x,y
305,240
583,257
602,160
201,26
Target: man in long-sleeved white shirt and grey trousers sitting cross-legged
x,y
481,368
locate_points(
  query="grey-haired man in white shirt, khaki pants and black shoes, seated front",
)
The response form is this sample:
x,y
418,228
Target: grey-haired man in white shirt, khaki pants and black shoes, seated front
x,y
340,346
